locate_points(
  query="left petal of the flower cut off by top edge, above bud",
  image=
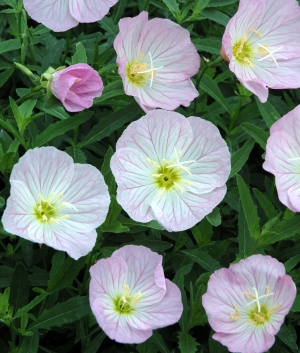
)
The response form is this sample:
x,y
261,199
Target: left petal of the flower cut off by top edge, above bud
x,y
54,14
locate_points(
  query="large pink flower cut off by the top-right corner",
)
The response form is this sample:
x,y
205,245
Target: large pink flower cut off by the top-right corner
x,y
262,43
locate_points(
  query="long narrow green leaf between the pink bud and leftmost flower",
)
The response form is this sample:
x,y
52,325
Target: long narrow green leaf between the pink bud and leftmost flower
x,y
59,128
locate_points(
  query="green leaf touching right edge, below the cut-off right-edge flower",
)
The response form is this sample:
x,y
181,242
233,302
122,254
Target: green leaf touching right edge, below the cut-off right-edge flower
x,y
282,230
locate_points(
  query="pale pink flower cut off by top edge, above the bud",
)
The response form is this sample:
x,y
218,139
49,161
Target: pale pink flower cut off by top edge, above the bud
x,y
61,15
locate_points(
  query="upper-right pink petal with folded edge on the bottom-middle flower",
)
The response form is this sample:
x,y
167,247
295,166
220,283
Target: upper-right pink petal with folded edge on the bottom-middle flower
x,y
145,273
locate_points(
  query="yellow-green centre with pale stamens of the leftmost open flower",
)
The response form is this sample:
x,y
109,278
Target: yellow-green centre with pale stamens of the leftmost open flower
x,y
46,210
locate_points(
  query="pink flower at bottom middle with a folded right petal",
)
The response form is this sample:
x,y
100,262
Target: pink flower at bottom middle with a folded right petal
x,y
130,296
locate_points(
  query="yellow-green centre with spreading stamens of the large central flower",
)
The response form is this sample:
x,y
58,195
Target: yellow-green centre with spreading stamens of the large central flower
x,y
168,175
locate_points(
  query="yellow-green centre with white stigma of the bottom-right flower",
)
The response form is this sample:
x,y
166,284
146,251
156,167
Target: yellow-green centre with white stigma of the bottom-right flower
x,y
259,313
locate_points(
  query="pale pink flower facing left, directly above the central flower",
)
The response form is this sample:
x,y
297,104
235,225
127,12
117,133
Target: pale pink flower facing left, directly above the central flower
x,y
156,59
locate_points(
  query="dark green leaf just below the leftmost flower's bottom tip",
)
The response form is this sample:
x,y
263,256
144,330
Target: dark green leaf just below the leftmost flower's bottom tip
x,y
66,274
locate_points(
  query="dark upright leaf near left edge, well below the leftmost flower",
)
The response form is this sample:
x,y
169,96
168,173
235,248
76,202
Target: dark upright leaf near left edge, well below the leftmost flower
x,y
19,287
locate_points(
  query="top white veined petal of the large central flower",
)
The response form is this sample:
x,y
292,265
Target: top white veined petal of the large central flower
x,y
156,135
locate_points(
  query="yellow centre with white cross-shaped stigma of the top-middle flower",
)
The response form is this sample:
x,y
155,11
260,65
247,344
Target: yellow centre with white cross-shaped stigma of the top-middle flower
x,y
138,73
